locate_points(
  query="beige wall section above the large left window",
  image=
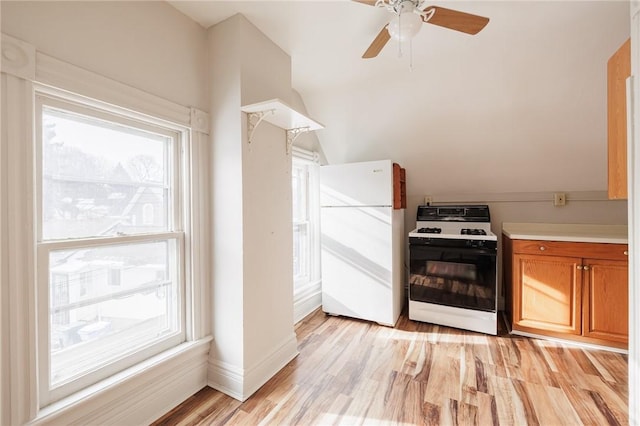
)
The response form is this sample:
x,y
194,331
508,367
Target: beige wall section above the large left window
x,y
145,44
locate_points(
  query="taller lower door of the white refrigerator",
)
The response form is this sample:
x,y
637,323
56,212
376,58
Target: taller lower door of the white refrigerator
x,y
357,264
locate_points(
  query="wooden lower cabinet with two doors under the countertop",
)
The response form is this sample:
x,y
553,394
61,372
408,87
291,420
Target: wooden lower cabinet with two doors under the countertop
x,y
577,291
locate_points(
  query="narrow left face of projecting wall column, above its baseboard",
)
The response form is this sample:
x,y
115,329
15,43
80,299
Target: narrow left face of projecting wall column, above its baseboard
x,y
227,195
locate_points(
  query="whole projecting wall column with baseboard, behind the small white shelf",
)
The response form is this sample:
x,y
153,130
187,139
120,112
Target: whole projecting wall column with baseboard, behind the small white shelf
x,y
252,234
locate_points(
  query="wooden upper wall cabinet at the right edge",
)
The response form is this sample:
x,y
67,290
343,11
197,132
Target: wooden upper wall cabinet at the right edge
x,y
618,70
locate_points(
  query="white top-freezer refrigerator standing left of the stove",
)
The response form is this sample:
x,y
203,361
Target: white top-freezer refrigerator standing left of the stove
x,y
362,238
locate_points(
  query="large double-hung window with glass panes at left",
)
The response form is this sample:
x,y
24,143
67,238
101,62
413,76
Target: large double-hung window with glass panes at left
x,y
110,242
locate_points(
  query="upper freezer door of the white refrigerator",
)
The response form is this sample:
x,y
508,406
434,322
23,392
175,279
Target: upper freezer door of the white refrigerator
x,y
357,184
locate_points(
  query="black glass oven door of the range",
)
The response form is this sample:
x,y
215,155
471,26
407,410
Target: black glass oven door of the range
x,y
463,277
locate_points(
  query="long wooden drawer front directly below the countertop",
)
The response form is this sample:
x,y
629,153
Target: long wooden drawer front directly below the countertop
x,y
562,248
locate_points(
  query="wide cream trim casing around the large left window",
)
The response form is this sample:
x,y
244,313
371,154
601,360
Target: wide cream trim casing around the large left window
x,y
20,403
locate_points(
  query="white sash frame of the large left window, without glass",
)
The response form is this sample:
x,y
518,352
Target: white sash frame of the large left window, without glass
x,y
177,221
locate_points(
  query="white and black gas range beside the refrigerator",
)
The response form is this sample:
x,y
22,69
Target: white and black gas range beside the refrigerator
x,y
453,268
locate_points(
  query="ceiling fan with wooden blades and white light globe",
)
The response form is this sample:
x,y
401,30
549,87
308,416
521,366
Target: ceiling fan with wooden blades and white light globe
x,y
408,19
